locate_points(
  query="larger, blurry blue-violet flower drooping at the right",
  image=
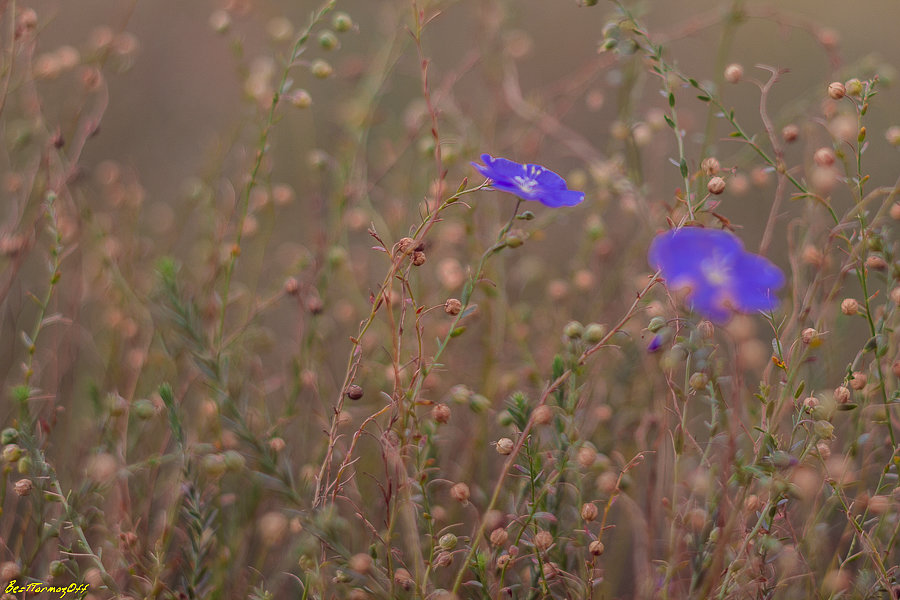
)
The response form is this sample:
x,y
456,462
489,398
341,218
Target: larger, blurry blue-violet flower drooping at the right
x,y
720,275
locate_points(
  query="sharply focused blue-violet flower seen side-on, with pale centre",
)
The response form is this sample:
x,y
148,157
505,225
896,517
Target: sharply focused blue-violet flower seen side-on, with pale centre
x,y
528,182
